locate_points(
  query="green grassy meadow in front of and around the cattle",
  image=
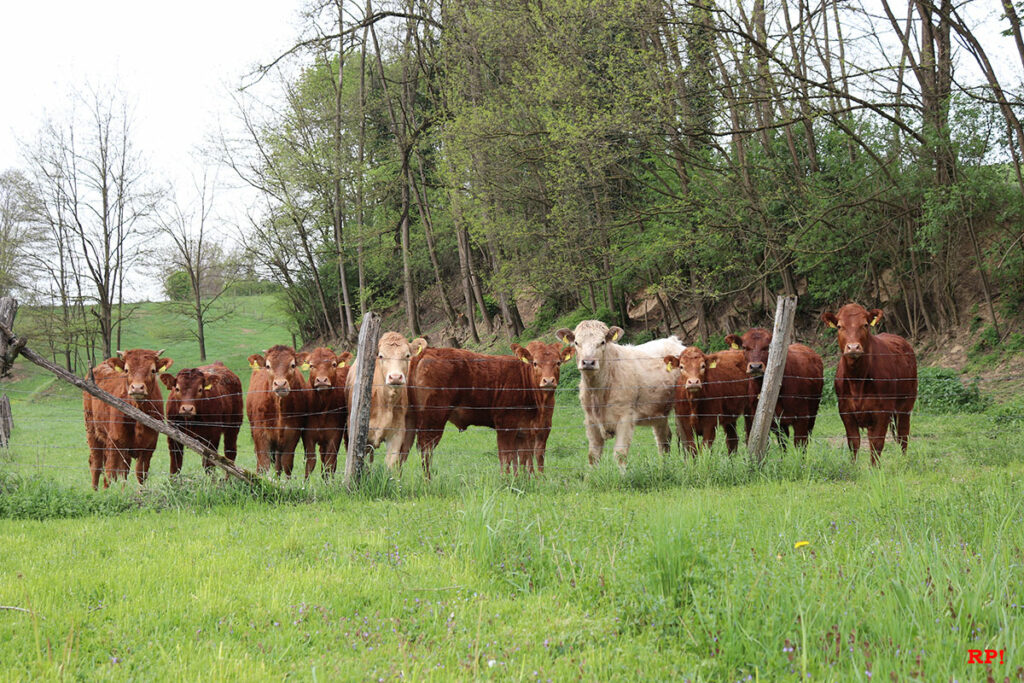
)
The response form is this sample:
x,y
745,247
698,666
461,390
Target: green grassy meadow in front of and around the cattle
x,y
813,568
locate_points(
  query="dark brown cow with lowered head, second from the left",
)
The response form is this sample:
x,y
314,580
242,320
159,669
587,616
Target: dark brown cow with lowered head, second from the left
x,y
206,404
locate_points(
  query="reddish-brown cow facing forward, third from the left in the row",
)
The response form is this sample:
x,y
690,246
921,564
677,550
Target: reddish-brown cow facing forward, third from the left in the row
x,y
277,406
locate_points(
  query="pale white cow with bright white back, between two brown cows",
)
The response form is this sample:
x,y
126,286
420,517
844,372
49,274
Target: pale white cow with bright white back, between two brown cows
x,y
621,387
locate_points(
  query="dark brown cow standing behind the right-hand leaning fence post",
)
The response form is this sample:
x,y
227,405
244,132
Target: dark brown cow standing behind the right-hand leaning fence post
x,y
800,394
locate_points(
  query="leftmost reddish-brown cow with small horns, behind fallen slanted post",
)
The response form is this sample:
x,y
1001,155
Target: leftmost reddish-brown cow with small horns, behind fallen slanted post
x,y
115,439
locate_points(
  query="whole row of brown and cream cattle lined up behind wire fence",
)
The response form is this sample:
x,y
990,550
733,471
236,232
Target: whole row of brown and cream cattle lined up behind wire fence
x,y
418,390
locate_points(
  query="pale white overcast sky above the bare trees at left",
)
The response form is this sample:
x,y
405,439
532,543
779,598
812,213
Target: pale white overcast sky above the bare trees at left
x,y
175,62
